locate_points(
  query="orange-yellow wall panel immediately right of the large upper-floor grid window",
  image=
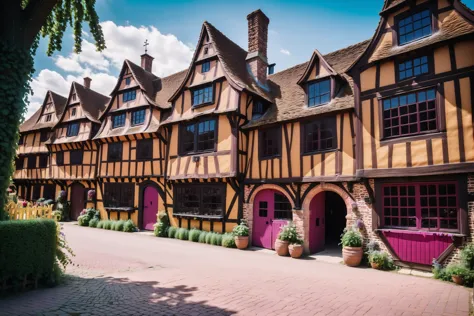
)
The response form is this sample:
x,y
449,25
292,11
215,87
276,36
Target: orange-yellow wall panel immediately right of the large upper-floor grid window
x,y
451,122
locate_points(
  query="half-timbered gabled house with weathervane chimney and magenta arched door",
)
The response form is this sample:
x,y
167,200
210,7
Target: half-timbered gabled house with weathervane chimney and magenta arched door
x,y
131,164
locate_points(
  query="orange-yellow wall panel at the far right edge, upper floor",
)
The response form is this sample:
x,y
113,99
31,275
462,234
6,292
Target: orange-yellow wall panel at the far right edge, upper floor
x,y
466,92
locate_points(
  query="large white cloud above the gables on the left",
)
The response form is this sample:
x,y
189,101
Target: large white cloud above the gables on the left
x,y
123,42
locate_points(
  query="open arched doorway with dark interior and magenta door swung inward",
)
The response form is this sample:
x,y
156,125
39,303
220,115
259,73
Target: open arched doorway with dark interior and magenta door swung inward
x,y
327,220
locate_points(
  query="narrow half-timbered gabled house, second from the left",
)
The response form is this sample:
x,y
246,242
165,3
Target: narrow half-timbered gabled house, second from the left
x,y
72,151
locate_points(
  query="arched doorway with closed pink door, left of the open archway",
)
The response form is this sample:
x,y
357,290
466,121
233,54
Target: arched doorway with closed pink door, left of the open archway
x,y
271,210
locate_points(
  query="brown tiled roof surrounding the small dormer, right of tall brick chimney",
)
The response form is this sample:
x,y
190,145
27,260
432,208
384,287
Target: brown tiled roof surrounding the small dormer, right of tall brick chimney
x,y
290,97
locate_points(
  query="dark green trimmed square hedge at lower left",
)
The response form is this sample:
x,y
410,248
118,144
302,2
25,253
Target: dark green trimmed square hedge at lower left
x,y
27,249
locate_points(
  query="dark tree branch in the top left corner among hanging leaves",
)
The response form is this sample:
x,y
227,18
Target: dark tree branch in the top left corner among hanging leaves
x,y
34,17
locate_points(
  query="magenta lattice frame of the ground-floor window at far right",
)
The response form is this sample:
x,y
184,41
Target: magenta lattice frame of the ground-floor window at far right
x,y
418,207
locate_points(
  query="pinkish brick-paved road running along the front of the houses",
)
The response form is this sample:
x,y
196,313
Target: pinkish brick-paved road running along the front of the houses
x,y
136,274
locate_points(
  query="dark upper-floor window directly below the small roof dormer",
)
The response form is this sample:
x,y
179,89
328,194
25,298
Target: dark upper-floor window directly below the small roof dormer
x,y
319,135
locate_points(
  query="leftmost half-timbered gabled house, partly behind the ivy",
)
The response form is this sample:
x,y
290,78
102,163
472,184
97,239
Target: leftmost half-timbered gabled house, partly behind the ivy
x,y
32,173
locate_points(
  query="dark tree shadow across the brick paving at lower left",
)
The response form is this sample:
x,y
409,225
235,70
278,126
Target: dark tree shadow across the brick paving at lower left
x,y
109,296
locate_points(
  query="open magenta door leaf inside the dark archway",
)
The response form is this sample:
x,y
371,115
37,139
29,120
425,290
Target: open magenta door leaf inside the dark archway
x,y
317,223
